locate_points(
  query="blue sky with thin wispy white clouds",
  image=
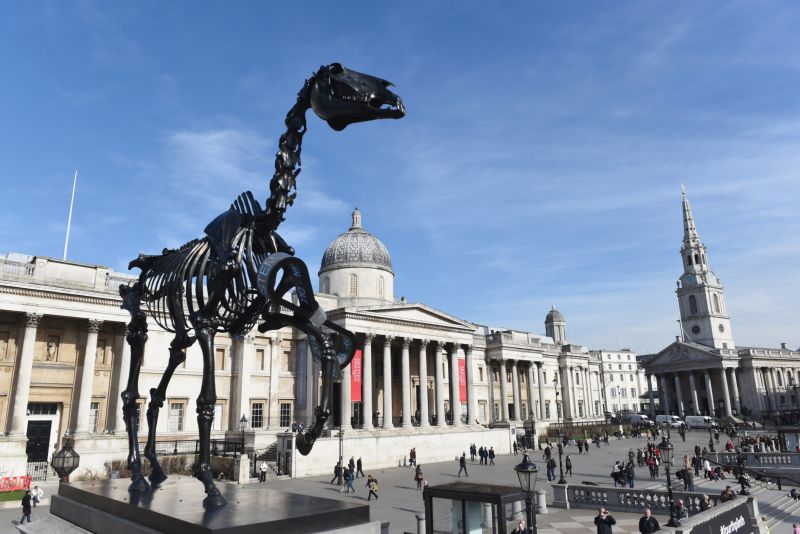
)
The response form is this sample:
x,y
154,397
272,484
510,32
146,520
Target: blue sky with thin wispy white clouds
x,y
540,161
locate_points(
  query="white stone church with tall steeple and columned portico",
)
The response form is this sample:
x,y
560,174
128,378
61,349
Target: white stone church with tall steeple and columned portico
x,y
703,372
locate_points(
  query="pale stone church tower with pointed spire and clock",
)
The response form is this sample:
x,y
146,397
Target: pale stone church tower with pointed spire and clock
x,y
701,298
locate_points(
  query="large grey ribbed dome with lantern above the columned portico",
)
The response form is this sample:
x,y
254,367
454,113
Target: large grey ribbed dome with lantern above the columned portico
x,y
356,248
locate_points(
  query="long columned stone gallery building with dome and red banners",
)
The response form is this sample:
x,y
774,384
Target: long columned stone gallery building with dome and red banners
x,y
420,374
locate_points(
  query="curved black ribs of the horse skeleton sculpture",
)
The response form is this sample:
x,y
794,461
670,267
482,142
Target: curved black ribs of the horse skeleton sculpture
x,y
175,285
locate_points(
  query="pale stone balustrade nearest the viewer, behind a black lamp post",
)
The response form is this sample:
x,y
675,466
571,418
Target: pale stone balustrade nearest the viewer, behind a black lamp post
x,y
625,499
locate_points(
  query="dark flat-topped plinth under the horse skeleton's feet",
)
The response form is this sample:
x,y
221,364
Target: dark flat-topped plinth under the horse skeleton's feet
x,y
106,506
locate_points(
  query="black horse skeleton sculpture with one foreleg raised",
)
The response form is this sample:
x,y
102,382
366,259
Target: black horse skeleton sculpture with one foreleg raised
x,y
242,271
